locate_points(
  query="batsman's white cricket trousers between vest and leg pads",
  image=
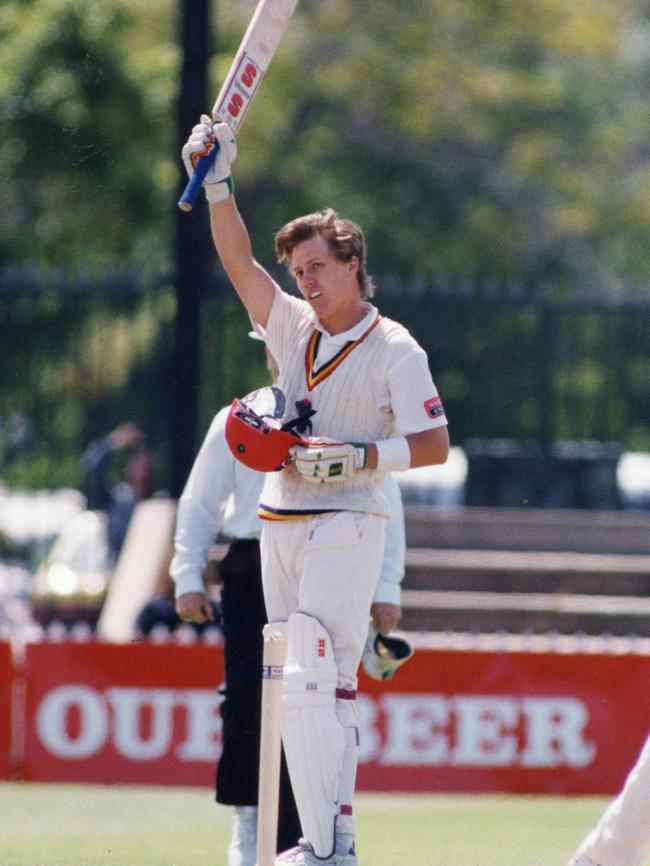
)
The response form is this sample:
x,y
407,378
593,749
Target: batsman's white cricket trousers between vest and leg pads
x,y
327,567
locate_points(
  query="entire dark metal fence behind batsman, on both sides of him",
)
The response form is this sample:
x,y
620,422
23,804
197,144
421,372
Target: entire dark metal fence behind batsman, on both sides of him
x,y
80,354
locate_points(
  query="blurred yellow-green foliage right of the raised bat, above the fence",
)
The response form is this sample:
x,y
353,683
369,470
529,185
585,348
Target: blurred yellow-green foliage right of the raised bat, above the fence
x,y
495,139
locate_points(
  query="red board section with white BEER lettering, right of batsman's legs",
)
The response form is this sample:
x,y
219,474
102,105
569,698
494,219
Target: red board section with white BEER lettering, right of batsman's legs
x,y
520,722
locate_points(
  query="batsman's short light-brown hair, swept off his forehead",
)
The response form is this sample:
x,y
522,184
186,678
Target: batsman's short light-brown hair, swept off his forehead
x,y
344,238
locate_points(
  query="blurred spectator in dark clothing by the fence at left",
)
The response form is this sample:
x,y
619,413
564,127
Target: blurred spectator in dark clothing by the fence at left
x,y
116,497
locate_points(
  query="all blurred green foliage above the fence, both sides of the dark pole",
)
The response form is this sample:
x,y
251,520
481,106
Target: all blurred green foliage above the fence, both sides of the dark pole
x,y
497,139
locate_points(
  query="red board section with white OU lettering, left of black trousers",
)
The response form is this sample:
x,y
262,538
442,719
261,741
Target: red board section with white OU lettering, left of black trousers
x,y
136,713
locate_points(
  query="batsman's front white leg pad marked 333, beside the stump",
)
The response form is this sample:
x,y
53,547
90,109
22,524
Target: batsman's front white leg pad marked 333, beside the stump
x,y
314,740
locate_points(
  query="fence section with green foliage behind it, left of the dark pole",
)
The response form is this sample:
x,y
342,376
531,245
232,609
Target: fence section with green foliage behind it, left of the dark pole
x,y
76,362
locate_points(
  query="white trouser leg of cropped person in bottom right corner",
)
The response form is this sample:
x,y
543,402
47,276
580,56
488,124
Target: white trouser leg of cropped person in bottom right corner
x,y
622,836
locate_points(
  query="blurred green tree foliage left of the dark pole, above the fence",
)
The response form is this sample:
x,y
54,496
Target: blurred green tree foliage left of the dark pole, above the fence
x,y
85,94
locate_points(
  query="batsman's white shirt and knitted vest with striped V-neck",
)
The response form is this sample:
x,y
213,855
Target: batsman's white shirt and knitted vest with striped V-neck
x,y
374,386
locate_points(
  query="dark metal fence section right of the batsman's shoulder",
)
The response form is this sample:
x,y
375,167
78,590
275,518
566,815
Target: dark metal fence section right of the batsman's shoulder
x,y
545,368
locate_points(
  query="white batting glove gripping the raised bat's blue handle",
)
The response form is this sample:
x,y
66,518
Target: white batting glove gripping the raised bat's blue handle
x,y
218,182
